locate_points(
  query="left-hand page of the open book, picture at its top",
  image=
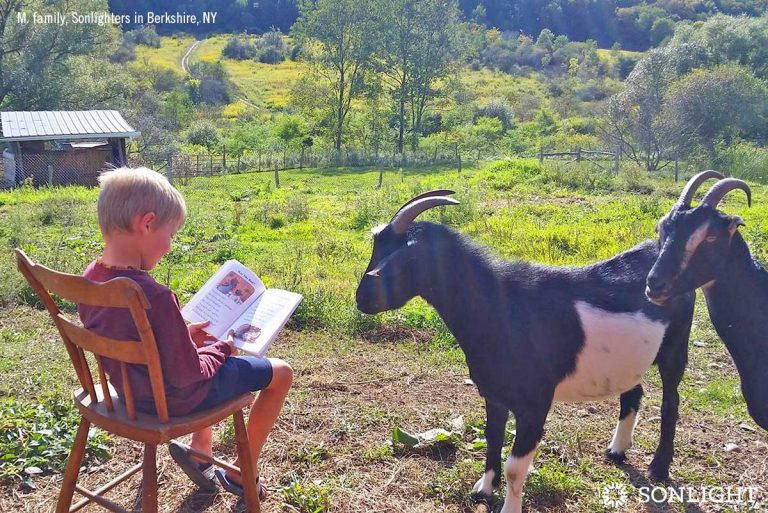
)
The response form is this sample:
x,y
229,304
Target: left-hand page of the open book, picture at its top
x,y
224,297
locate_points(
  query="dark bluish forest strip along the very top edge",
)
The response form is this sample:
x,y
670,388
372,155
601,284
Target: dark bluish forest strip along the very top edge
x,y
634,24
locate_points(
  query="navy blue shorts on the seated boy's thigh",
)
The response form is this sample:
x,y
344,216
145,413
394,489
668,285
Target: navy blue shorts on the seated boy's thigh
x,y
238,375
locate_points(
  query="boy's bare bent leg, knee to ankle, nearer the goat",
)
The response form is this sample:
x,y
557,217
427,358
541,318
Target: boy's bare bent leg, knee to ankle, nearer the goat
x,y
266,408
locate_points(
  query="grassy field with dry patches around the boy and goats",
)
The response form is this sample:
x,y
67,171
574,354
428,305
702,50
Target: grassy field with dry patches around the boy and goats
x,y
357,377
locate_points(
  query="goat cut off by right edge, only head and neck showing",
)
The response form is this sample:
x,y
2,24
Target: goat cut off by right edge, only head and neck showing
x,y
702,247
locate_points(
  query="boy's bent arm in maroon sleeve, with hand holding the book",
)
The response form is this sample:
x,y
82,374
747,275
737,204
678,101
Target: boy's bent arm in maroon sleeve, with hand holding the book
x,y
183,364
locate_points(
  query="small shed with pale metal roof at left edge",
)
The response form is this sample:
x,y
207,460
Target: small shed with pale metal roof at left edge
x,y
62,147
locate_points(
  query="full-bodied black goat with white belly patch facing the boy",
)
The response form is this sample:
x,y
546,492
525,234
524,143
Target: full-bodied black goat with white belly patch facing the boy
x,y
533,335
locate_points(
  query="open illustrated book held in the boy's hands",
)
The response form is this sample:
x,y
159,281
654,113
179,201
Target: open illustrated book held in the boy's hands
x,y
236,299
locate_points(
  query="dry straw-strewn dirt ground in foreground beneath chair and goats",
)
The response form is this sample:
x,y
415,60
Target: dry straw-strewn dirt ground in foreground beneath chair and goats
x,y
348,395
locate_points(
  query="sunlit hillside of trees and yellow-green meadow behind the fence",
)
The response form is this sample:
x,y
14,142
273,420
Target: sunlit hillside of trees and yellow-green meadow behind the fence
x,y
399,78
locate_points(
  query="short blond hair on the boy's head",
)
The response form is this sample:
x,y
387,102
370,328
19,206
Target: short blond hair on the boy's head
x,y
128,192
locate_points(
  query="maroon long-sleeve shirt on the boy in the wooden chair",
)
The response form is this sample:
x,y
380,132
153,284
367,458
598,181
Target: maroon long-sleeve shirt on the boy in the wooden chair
x,y
187,369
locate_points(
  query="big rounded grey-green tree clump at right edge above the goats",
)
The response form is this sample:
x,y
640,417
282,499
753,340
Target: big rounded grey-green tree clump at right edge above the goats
x,y
654,121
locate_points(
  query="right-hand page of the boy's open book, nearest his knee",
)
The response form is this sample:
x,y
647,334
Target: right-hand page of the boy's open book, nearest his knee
x,y
259,326
